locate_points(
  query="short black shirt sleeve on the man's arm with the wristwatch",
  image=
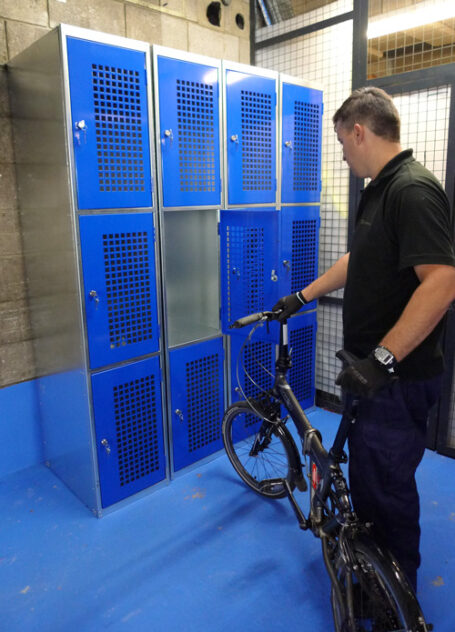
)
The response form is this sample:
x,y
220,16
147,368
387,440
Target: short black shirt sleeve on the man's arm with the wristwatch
x,y
423,227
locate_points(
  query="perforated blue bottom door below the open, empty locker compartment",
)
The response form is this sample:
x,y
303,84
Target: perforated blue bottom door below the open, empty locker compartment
x,y
197,393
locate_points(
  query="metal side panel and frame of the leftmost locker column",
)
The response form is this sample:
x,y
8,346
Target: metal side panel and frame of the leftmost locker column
x,y
44,132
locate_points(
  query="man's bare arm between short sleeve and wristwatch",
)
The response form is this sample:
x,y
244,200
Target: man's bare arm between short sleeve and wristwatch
x,y
425,308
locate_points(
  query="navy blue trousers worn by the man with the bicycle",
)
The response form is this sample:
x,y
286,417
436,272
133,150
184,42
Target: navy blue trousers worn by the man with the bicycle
x,y
386,444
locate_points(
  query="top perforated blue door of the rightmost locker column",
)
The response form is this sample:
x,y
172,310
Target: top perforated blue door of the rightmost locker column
x,y
301,144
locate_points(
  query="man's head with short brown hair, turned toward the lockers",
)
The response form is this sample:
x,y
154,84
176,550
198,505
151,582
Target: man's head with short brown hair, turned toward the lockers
x,y
368,128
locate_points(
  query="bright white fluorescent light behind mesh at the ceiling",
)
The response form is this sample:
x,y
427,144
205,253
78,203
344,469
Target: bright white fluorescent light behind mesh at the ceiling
x,y
405,20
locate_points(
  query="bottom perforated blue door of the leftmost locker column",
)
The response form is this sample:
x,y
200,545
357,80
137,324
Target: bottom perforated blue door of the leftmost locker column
x,y
127,408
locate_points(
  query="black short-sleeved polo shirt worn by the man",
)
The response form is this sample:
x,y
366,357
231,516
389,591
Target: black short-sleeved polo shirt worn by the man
x,y
403,220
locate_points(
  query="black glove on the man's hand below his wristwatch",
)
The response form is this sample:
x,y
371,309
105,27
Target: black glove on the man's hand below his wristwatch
x,y
364,377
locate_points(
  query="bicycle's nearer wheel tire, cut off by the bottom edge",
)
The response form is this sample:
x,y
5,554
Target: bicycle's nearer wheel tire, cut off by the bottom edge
x,y
383,600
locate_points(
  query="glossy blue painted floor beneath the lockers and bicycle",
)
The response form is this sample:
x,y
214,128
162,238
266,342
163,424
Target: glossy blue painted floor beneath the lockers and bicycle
x,y
202,554
